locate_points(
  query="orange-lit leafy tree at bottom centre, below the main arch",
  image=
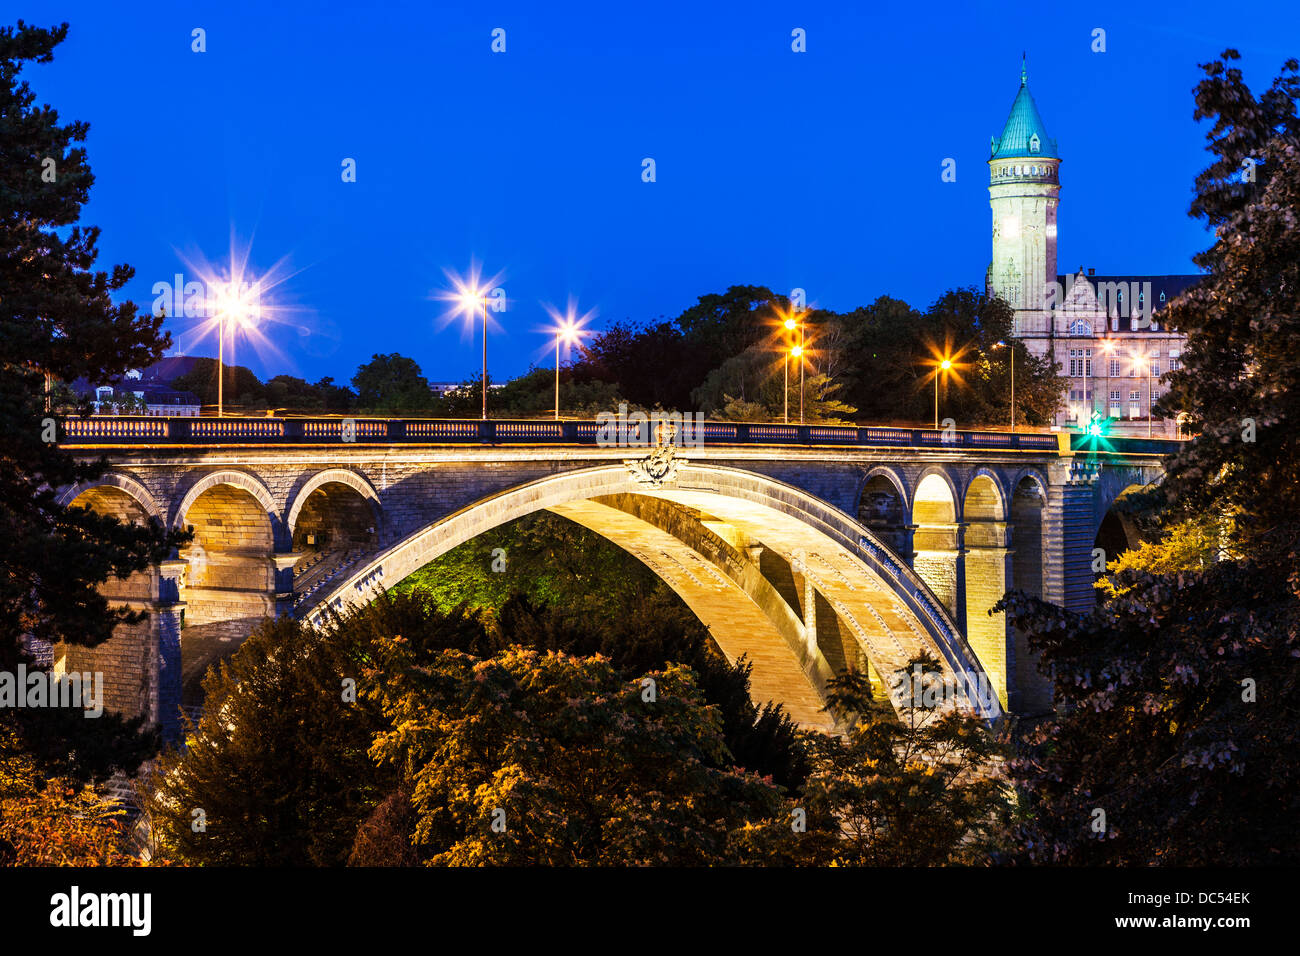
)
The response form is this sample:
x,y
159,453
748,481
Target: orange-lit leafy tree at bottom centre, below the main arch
x,y
556,760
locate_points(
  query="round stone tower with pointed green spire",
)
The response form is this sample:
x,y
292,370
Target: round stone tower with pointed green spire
x,y
1024,191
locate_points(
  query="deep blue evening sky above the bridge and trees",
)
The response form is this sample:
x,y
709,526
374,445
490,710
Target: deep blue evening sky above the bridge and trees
x,y
817,170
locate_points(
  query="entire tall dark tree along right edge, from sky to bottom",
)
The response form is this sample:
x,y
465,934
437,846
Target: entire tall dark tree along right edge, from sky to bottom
x,y
1175,741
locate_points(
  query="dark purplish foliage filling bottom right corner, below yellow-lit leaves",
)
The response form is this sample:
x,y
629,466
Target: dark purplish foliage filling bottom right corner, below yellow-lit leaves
x,y
1158,729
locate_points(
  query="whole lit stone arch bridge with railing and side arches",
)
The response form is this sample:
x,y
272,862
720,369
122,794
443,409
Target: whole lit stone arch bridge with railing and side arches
x,y
808,548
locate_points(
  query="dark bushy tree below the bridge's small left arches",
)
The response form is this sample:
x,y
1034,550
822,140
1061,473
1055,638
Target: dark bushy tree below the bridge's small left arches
x,y
278,771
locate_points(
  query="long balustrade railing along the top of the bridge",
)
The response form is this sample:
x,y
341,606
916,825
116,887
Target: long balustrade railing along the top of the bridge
x,y
128,431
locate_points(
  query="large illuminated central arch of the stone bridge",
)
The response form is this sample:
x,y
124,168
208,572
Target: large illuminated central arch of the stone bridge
x,y
777,574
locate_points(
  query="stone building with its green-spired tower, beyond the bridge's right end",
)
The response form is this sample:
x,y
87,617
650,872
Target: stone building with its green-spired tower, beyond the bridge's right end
x,y
1104,332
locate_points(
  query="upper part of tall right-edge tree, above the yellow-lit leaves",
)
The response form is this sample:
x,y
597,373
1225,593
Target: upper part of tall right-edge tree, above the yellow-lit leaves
x,y
1240,383
